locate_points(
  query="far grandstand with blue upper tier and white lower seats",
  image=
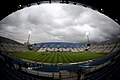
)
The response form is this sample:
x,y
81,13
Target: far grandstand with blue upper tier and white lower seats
x,y
60,47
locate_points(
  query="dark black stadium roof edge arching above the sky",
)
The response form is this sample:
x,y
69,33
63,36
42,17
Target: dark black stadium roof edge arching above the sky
x,y
108,7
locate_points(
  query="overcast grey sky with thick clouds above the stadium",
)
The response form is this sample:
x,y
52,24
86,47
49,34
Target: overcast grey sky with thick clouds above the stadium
x,y
58,22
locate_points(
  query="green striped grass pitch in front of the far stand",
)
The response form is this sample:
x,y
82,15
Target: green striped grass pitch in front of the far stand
x,y
58,57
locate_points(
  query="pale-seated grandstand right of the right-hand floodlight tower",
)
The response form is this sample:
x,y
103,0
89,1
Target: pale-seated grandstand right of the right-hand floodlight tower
x,y
109,46
